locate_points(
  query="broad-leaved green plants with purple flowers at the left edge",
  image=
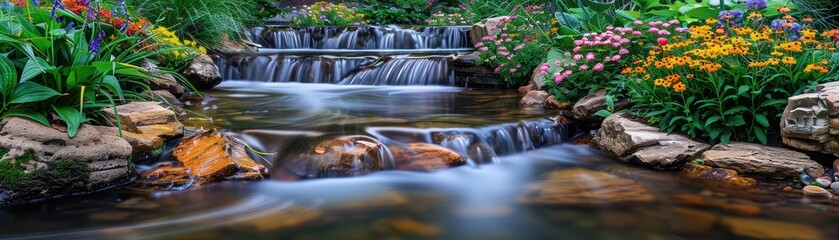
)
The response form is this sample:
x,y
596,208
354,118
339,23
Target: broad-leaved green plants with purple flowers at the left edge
x,y
73,71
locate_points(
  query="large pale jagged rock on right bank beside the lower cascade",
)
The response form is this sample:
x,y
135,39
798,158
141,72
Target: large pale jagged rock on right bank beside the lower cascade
x,y
632,141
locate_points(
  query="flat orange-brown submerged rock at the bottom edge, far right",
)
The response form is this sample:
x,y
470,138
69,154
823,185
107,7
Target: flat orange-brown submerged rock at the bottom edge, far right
x,y
753,228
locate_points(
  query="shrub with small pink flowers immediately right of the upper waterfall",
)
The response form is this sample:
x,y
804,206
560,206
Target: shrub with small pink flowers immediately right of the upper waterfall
x,y
519,44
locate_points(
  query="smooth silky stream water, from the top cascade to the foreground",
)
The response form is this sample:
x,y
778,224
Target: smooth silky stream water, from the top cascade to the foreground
x,y
501,193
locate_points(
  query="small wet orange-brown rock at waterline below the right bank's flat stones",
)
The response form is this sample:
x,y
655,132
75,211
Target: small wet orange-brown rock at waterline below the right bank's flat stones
x,y
719,177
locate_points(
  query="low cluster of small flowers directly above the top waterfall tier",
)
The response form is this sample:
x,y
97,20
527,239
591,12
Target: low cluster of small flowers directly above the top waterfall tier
x,y
324,13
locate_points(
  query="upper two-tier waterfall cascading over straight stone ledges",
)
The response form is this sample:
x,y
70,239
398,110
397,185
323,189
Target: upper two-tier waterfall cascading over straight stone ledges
x,y
360,55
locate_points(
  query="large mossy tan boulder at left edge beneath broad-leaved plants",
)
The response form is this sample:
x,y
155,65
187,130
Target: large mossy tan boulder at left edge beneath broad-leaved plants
x,y
43,162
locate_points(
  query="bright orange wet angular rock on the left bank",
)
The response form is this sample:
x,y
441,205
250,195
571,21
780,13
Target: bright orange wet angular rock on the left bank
x,y
212,156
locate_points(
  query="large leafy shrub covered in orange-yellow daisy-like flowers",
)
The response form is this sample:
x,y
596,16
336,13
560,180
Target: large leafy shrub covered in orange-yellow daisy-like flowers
x,y
729,79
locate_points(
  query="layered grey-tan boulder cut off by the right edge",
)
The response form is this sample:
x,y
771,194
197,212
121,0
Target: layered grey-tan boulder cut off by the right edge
x,y
811,121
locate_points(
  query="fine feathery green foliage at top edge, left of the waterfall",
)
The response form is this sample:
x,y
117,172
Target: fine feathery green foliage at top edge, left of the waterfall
x,y
208,22
